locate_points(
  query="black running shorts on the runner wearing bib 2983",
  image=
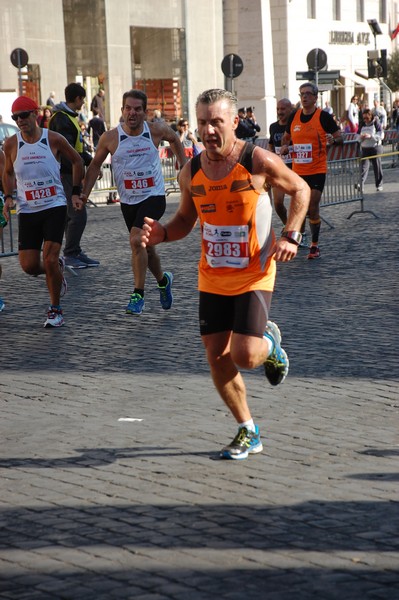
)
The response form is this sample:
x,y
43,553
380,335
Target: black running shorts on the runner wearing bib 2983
x,y
246,313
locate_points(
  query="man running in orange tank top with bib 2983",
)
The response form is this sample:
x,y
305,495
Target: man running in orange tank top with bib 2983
x,y
225,188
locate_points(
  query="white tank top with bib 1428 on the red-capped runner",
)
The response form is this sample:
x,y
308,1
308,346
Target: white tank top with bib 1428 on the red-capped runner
x,y
37,172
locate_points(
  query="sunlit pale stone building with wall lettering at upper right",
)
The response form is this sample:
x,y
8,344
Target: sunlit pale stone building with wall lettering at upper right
x,y
274,38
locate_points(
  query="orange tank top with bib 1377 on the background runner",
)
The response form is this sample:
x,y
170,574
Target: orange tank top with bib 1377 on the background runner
x,y
309,141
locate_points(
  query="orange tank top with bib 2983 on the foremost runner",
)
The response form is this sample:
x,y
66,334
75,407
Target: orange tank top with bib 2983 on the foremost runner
x,y
236,230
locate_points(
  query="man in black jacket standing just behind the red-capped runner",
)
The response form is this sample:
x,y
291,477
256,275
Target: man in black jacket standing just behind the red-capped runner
x,y
65,121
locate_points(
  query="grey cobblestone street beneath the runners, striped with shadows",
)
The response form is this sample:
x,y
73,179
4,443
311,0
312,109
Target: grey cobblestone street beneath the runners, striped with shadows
x,y
95,508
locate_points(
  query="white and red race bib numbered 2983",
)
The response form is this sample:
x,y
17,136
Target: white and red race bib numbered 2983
x,y
226,245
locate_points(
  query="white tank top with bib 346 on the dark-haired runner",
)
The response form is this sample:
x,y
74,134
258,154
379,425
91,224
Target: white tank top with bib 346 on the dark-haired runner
x,y
137,167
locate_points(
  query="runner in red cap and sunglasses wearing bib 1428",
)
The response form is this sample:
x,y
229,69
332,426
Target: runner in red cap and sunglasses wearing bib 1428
x,y
31,159
